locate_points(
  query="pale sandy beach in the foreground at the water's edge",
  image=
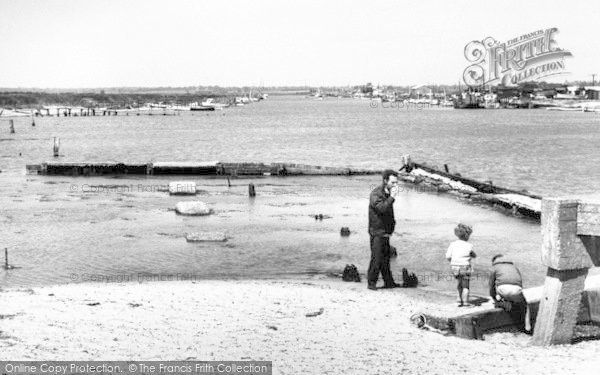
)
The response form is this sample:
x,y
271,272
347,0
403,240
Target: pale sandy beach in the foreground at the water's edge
x,y
358,332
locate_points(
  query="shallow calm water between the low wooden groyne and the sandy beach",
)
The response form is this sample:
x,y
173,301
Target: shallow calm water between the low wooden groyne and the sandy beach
x,y
65,233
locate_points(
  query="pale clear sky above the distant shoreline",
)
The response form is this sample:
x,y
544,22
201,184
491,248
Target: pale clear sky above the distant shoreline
x,y
149,43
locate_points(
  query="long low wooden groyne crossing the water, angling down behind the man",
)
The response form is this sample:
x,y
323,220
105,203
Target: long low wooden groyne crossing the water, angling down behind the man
x,y
516,202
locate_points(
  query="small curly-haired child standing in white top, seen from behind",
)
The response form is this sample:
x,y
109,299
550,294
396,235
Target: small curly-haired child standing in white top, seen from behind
x,y
459,254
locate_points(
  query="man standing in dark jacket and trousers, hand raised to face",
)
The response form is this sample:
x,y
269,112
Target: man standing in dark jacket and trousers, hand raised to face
x,y
381,227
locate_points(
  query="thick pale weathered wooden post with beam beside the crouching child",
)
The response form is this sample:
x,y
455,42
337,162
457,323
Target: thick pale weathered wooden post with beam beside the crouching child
x,y
570,246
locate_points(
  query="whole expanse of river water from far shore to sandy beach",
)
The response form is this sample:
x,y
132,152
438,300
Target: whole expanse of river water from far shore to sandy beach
x,y
62,229
